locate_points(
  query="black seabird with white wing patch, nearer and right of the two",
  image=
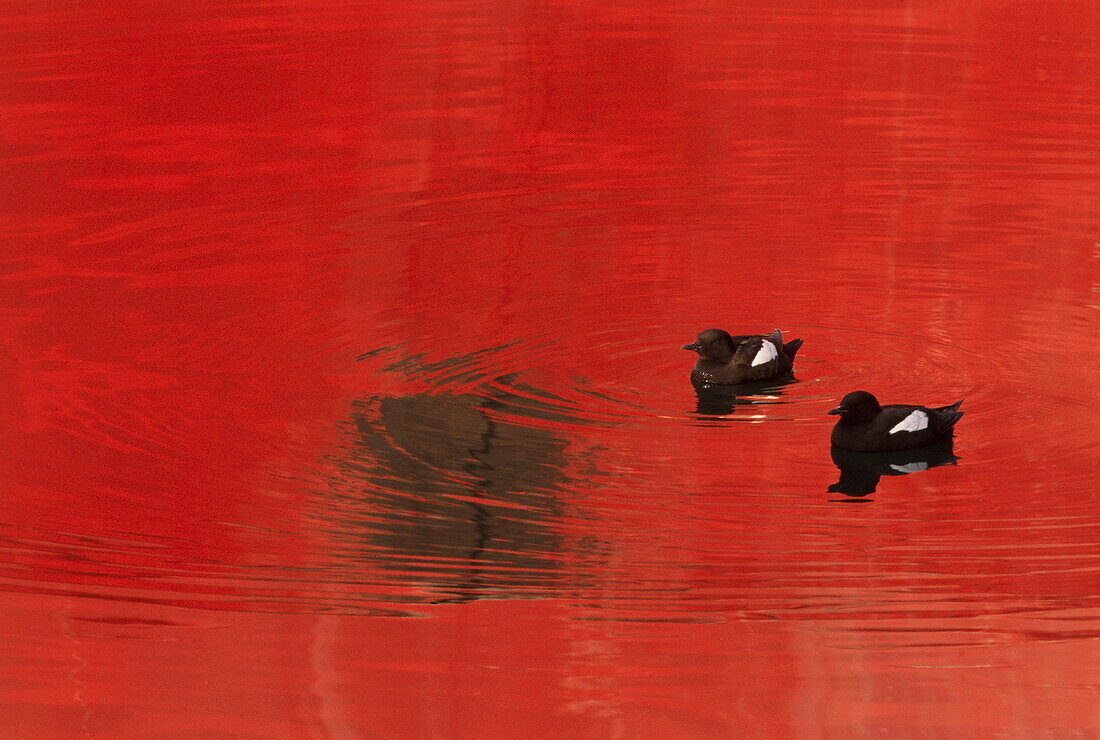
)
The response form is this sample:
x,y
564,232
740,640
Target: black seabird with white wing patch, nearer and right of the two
x,y
865,426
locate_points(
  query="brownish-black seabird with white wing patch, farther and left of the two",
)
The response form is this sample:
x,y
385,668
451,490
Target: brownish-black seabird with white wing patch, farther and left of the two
x,y
727,360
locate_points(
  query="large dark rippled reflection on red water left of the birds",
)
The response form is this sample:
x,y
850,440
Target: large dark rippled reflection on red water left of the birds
x,y
442,492
